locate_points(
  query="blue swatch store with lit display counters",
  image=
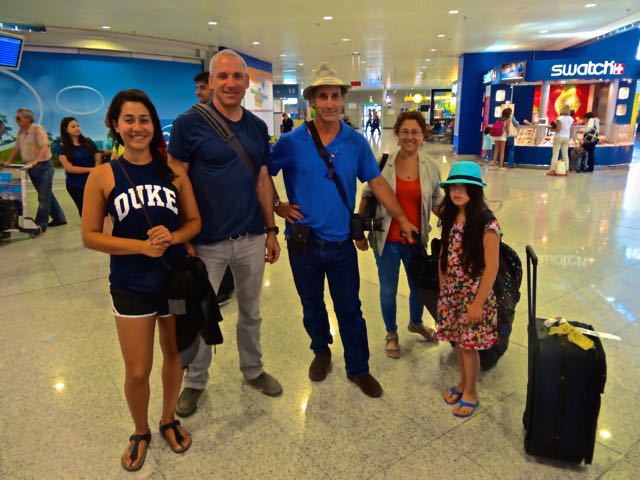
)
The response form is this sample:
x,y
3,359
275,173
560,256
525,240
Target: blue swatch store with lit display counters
x,y
594,78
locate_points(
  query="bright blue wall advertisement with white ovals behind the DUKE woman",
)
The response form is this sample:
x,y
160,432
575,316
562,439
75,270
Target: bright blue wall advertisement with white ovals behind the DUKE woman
x,y
57,85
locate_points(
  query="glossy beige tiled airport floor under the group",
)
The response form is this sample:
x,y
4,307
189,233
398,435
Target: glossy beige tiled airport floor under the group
x,y
64,413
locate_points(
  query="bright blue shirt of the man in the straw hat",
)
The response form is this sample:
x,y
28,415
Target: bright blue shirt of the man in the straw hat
x,y
307,184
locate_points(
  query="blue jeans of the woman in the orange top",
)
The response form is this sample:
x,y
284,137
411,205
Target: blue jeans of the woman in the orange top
x,y
388,274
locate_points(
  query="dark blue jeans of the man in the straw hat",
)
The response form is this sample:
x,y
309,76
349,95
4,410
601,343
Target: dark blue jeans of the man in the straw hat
x,y
339,263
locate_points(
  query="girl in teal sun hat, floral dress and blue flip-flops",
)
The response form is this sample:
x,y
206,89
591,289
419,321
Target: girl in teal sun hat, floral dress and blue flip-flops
x,y
467,268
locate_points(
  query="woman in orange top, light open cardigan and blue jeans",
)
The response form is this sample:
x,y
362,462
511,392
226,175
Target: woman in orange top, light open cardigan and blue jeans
x,y
415,180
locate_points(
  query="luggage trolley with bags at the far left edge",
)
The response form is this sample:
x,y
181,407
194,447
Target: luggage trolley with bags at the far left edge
x,y
13,204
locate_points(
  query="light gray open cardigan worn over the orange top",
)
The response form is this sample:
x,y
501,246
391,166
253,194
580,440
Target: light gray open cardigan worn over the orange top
x,y
431,196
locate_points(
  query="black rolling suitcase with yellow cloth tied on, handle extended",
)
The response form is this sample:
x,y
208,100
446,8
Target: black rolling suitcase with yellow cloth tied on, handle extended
x,y
563,390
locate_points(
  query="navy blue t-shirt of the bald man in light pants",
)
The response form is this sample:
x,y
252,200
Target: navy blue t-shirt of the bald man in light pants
x,y
224,188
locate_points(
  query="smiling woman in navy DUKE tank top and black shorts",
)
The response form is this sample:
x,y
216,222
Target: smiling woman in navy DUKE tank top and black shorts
x,y
137,275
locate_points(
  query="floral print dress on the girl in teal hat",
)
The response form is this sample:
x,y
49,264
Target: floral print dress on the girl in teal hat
x,y
459,290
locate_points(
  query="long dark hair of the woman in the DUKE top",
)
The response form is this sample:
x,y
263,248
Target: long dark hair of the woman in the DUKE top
x,y
157,145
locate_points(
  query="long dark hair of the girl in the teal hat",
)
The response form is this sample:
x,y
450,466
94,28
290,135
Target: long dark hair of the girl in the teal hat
x,y
477,216
